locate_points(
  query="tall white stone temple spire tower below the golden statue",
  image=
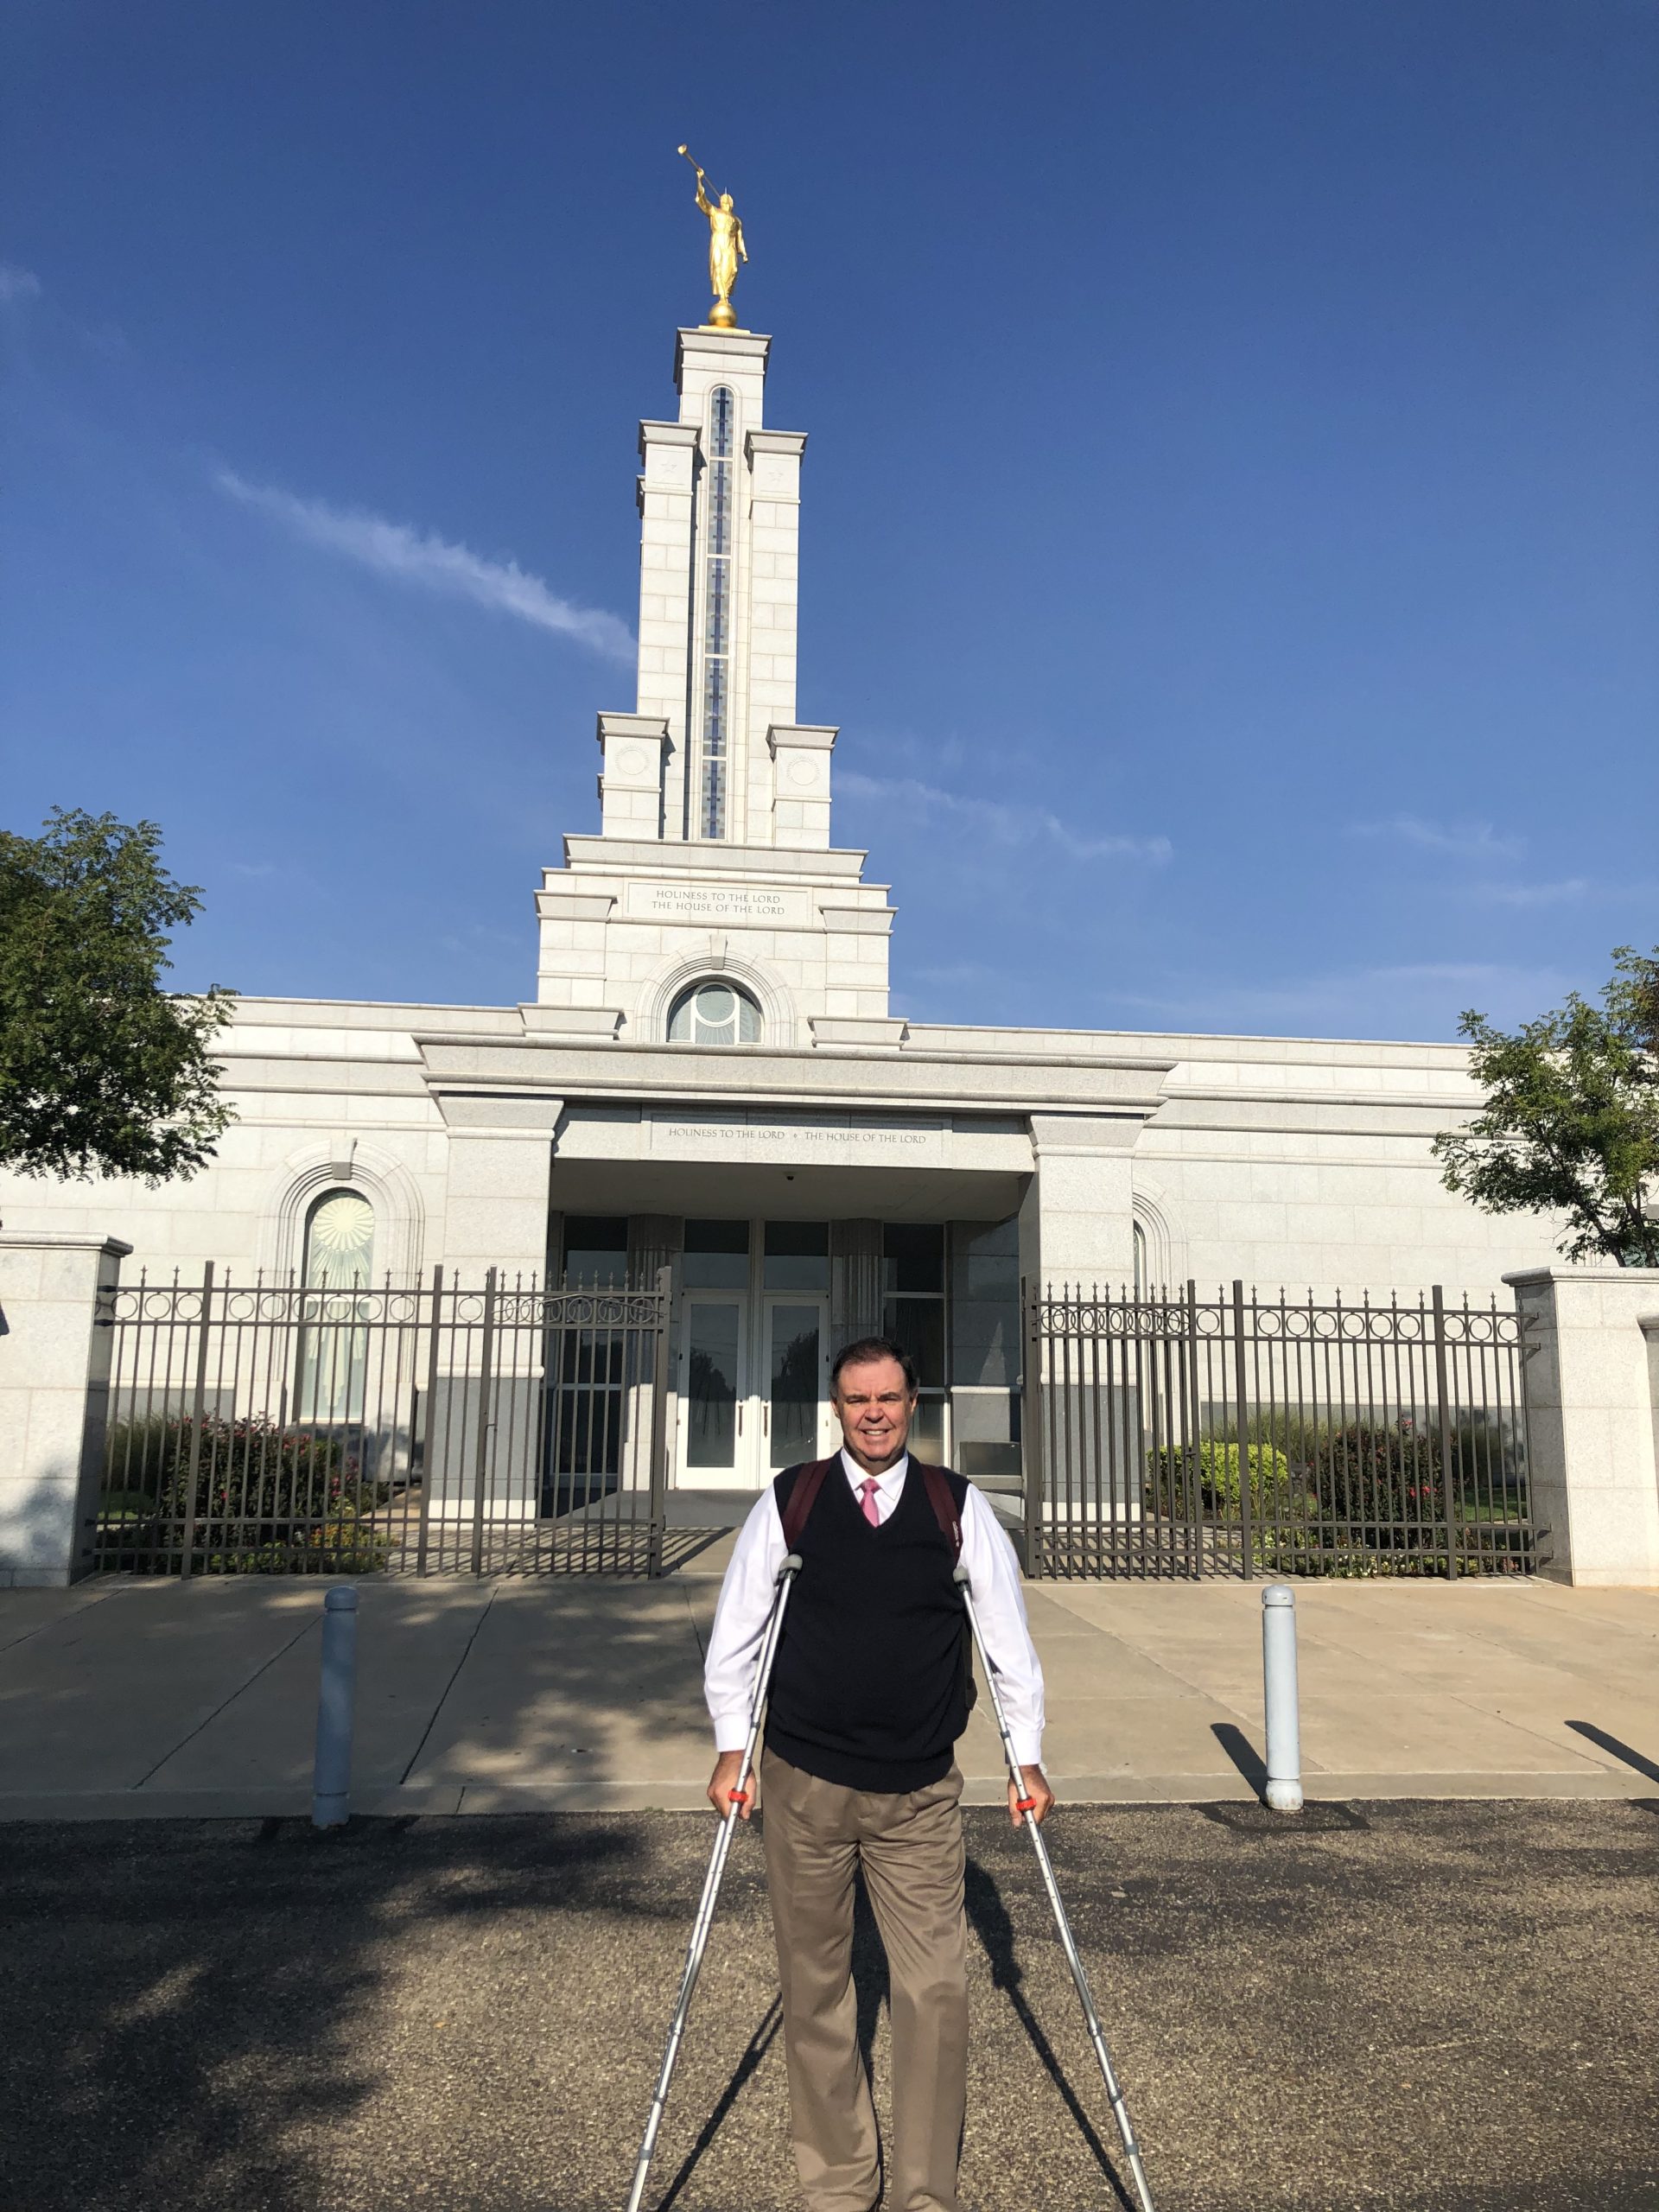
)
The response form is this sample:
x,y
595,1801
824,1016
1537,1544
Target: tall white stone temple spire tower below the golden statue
x,y
713,866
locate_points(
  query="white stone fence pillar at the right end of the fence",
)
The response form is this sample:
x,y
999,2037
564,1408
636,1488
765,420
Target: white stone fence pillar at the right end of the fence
x,y
1594,1421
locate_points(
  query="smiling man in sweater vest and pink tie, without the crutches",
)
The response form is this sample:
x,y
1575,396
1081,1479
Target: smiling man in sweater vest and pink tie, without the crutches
x,y
870,1689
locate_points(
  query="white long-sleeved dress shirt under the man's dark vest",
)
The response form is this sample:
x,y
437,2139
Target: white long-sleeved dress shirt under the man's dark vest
x,y
747,1605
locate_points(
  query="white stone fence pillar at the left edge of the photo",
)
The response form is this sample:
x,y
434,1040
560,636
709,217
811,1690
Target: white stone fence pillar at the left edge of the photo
x,y
54,1384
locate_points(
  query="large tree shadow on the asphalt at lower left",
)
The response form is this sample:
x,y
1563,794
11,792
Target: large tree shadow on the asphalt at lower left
x,y
194,2005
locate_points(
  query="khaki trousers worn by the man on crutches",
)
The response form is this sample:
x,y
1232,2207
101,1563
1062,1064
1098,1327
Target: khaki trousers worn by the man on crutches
x,y
910,1848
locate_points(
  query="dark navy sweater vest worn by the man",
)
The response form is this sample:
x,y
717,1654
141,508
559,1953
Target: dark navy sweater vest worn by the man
x,y
870,1684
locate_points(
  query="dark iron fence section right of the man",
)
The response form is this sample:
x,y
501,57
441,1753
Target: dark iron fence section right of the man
x,y
1182,1437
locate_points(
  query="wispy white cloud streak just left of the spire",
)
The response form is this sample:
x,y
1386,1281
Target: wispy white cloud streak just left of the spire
x,y
432,563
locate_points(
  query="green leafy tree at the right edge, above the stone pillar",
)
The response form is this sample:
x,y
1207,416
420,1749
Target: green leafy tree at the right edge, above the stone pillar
x,y
1572,1120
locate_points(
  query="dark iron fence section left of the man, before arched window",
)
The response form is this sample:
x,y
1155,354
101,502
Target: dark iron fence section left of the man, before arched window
x,y
406,1430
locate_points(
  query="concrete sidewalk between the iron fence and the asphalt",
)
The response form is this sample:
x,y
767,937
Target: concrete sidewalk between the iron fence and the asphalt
x,y
171,1700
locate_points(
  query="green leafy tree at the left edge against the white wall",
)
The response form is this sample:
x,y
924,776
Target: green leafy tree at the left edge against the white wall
x,y
101,1070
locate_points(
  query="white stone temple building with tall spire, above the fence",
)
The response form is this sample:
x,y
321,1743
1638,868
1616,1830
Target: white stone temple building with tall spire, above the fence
x,y
711,1078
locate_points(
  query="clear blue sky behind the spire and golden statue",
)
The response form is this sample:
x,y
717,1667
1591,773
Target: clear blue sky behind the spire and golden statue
x,y
1231,536
